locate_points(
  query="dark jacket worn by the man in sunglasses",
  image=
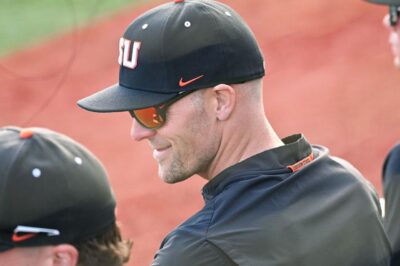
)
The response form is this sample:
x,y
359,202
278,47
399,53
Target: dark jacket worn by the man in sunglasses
x,y
292,205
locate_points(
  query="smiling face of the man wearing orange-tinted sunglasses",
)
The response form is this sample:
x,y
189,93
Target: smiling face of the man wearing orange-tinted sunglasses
x,y
186,144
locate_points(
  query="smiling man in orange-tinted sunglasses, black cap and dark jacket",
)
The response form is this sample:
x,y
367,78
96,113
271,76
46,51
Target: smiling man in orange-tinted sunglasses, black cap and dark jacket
x,y
191,78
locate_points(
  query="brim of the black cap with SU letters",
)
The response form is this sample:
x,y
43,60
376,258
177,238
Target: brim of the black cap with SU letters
x,y
118,98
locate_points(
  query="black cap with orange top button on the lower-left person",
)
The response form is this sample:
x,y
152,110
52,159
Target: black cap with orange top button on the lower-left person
x,y
52,190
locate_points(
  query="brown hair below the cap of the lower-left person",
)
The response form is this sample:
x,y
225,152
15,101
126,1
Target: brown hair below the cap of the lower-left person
x,y
105,249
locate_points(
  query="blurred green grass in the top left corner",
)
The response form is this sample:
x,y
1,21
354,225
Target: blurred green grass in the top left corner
x,y
27,22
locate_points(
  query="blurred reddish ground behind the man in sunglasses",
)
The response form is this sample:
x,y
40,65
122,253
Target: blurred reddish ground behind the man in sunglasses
x,y
329,75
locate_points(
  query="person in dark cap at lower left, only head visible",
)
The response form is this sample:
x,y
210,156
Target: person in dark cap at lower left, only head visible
x,y
56,204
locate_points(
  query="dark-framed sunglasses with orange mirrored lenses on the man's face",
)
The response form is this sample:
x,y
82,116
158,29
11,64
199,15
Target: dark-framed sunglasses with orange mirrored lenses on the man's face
x,y
154,117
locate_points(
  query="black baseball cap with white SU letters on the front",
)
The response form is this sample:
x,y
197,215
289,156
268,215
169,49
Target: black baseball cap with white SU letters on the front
x,y
179,46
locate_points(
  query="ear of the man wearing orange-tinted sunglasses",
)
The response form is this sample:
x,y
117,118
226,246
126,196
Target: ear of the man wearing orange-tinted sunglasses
x,y
226,100
